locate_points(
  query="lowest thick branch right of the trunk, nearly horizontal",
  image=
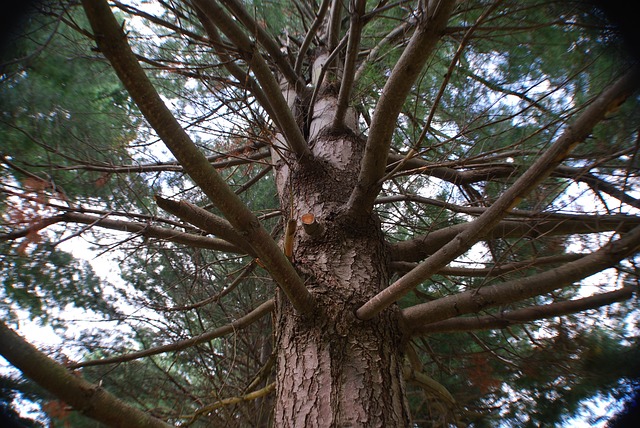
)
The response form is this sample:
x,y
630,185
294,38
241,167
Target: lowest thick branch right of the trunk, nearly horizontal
x,y
521,316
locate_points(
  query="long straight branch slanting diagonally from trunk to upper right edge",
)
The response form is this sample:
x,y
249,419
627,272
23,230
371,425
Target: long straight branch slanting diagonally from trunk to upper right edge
x,y
541,169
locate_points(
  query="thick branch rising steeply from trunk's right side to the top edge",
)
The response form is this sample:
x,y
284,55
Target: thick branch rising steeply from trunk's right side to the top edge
x,y
394,93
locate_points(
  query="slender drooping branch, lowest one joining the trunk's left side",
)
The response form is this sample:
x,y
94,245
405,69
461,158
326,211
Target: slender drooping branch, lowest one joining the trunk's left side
x,y
232,327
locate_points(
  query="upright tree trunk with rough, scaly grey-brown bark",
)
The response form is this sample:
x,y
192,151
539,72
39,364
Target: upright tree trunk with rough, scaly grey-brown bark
x,y
333,369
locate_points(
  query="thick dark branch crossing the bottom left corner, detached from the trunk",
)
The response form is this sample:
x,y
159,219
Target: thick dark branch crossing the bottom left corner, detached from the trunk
x,y
87,398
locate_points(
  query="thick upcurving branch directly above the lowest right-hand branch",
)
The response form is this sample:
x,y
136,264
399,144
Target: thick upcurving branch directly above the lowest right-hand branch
x,y
472,301
